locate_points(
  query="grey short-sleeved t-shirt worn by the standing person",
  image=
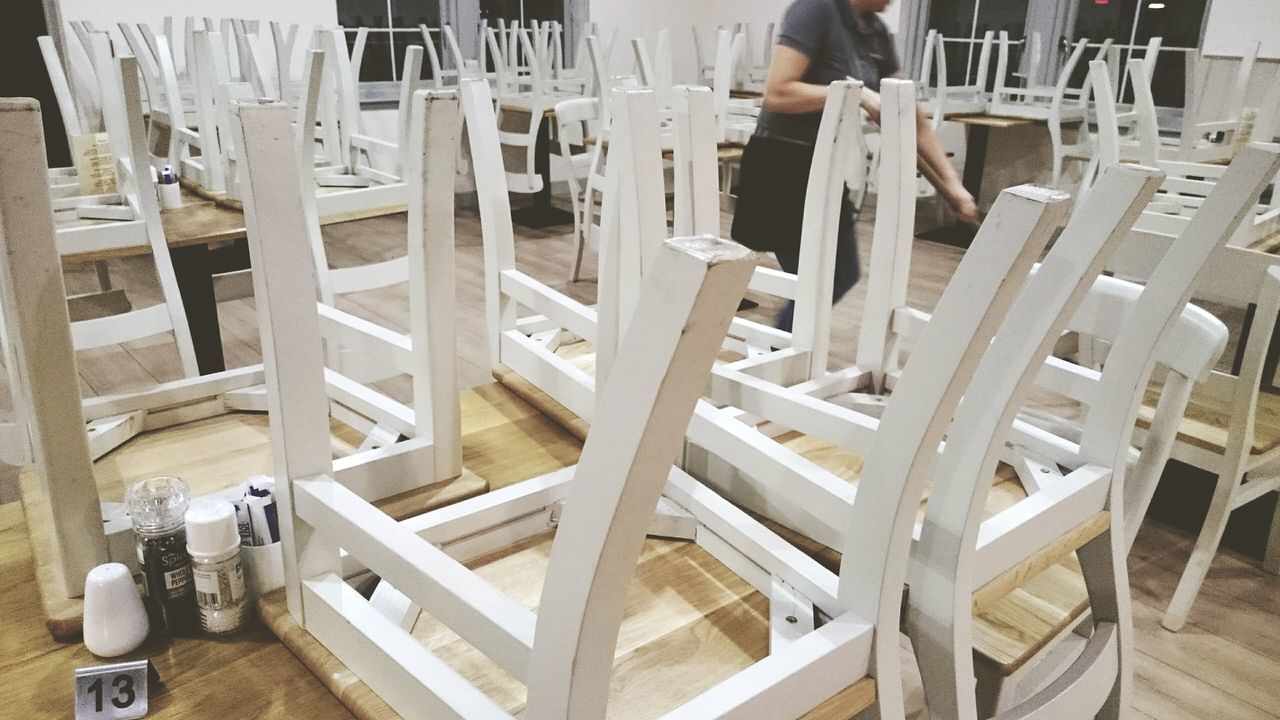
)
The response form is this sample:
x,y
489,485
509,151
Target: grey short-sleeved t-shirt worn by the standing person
x,y
839,45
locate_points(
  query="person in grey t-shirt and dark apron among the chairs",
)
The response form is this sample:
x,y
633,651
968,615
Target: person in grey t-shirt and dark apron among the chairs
x,y
822,42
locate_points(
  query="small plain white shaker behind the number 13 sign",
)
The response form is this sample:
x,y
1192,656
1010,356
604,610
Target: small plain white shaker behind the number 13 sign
x,y
116,622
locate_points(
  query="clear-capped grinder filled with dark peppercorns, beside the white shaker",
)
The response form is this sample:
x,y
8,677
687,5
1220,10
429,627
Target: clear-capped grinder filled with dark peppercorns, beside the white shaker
x,y
157,508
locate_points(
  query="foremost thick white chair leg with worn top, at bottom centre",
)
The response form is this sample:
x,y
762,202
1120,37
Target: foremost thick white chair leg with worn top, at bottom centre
x,y
604,528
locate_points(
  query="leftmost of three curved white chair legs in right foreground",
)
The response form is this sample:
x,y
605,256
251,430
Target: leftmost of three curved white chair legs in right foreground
x,y
986,284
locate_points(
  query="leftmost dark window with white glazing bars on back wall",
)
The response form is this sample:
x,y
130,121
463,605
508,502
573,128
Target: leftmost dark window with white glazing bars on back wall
x,y
394,26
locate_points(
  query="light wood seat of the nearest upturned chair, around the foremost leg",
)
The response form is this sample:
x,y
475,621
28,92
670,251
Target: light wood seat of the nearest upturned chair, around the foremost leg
x,y
689,623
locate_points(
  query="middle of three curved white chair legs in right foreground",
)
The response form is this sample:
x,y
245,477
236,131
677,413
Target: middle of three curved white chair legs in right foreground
x,y
940,605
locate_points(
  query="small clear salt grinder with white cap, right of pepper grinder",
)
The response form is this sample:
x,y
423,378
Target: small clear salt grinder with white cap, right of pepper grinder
x,y
213,543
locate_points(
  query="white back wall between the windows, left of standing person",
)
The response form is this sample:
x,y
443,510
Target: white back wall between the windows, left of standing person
x,y
646,19
